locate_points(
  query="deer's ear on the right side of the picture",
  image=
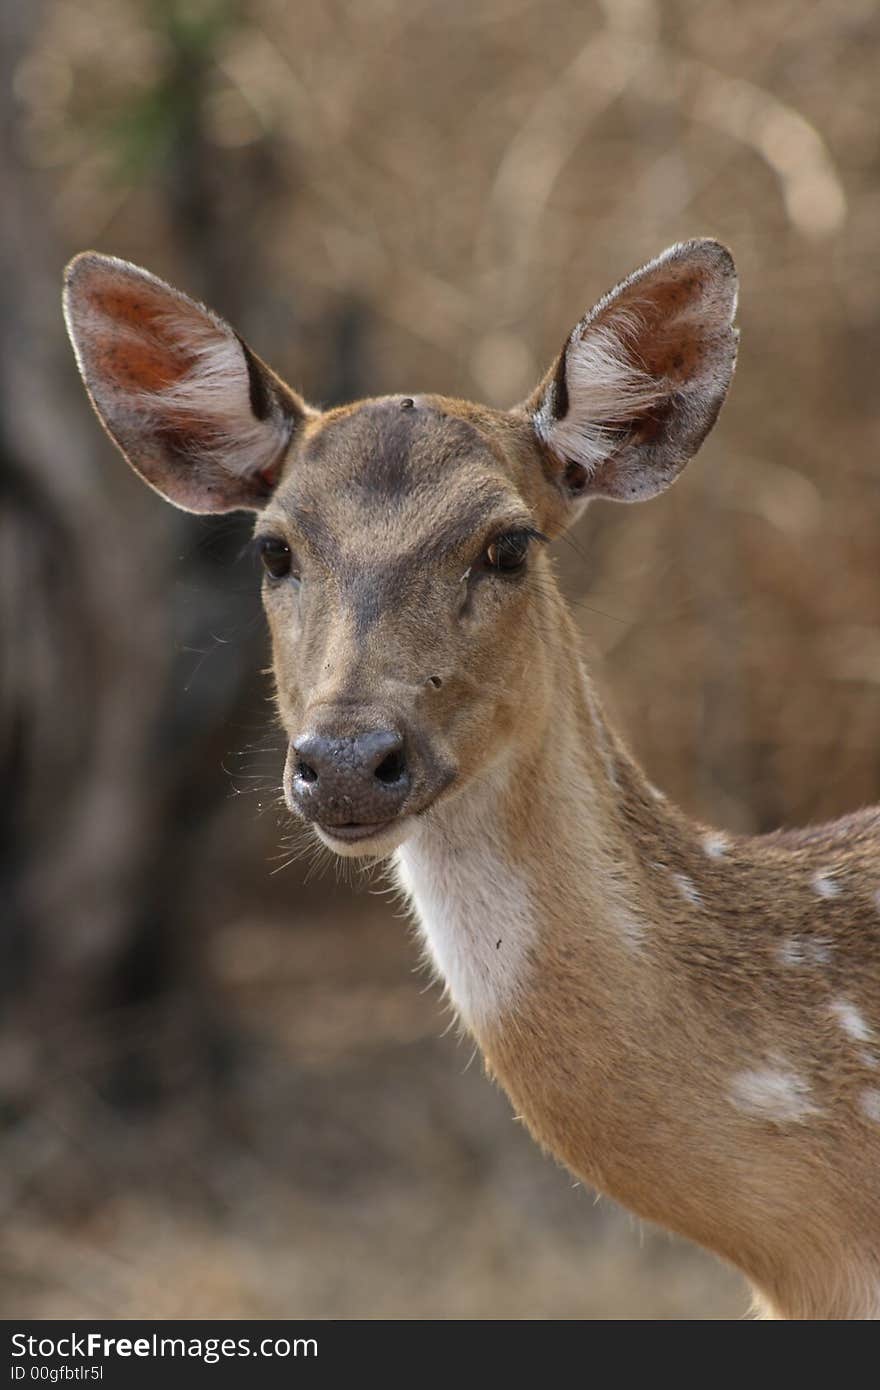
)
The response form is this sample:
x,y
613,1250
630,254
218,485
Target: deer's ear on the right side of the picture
x,y
643,377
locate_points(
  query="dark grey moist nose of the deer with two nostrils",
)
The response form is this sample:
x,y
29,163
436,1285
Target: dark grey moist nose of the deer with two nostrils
x,y
361,779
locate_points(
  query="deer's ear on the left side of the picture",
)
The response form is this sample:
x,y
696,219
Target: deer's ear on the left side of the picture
x,y
193,409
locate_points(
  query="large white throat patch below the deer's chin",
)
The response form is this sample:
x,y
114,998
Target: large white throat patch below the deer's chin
x,y
472,907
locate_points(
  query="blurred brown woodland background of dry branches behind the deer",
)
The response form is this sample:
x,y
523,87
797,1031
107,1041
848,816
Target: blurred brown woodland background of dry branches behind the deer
x,y
225,1090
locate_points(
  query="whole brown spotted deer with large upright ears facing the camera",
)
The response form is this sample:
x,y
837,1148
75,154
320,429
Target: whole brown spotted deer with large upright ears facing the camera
x,y
687,1020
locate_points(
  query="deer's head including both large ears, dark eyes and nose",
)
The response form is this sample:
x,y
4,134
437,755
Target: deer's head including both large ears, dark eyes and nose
x,y
408,589
